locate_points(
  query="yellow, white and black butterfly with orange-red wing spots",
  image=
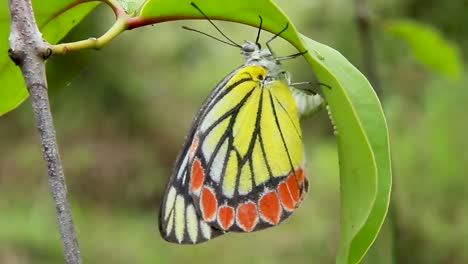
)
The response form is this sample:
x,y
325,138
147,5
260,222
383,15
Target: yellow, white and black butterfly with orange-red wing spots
x,y
242,166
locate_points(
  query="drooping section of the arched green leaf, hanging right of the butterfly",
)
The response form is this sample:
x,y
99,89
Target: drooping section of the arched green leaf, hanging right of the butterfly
x,y
365,172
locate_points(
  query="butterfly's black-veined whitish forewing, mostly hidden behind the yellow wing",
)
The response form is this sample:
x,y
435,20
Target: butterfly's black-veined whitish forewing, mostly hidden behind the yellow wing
x,y
179,221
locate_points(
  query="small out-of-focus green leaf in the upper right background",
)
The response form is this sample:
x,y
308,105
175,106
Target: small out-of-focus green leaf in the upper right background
x,y
429,46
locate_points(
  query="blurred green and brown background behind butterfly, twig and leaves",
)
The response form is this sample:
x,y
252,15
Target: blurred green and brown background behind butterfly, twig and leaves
x,y
122,114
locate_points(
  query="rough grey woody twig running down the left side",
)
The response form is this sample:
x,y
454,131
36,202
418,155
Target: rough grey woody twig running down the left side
x,y
29,51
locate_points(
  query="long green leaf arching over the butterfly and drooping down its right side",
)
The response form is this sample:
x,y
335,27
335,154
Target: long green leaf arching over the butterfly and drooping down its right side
x,y
362,131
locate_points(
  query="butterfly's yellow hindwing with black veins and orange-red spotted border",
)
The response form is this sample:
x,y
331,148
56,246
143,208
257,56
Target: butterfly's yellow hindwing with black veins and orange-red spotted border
x,y
248,169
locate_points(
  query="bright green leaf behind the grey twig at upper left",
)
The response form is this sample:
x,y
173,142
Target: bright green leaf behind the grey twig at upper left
x,y
53,25
